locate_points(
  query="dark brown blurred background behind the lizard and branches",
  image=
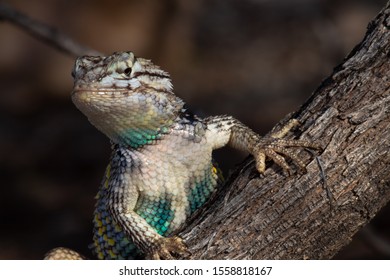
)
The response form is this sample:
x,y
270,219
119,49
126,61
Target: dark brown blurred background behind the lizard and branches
x,y
254,59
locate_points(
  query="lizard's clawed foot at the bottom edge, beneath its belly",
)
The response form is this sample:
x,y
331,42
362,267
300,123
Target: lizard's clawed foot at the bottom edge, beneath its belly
x,y
167,245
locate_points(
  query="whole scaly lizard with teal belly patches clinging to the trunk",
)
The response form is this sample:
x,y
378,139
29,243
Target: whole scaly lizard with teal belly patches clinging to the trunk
x,y
161,168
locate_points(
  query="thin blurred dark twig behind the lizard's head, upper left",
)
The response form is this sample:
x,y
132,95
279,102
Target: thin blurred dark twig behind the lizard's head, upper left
x,y
44,32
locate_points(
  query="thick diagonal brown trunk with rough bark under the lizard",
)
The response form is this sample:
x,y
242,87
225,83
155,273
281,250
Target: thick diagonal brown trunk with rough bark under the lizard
x,y
279,217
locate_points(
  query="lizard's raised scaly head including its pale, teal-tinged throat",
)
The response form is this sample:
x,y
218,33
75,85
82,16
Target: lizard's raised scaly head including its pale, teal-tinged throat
x,y
127,98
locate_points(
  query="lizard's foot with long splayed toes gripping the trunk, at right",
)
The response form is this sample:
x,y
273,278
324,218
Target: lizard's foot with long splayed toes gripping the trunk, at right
x,y
277,149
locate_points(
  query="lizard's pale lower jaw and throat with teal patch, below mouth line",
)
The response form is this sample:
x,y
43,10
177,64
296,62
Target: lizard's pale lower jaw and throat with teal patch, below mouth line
x,y
132,119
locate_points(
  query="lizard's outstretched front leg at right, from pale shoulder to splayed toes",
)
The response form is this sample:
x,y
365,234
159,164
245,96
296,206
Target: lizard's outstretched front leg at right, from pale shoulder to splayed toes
x,y
226,130
